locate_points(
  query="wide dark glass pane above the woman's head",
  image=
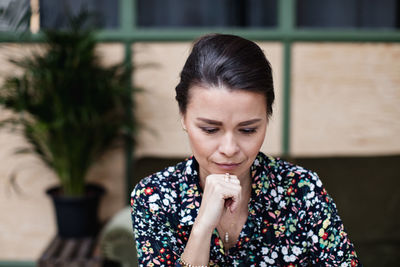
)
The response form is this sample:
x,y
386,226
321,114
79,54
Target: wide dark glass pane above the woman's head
x,y
206,13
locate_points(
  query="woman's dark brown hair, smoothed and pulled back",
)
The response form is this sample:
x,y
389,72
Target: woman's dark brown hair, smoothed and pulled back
x,y
230,61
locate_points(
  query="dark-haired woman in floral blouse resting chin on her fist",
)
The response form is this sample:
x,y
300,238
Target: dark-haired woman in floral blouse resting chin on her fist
x,y
229,204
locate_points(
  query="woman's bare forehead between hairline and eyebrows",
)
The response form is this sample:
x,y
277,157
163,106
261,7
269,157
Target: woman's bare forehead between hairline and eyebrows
x,y
221,103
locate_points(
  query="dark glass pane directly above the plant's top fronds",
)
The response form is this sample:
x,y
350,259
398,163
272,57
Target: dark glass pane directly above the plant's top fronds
x,y
54,14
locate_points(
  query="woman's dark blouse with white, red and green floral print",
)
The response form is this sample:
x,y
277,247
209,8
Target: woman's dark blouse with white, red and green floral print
x,y
292,220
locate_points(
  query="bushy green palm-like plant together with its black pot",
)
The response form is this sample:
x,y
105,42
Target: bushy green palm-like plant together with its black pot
x,y
70,109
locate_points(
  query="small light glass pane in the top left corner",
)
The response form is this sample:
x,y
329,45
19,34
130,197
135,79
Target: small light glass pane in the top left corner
x,y
14,15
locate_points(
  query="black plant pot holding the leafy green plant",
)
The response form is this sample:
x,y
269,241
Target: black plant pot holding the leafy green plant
x,y
77,216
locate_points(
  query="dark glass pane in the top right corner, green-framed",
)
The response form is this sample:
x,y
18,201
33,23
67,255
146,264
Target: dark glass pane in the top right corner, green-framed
x,y
348,14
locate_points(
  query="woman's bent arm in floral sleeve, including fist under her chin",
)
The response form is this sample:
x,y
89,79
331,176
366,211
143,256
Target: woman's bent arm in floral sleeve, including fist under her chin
x,y
156,241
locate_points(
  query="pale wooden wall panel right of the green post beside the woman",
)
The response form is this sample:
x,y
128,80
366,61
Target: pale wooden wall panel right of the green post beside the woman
x,y
345,99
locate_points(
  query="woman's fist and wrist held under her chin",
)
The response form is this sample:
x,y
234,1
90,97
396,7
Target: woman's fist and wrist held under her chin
x,y
222,192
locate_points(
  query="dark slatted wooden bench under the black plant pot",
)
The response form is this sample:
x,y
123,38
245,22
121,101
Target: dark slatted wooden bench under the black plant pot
x,y
82,252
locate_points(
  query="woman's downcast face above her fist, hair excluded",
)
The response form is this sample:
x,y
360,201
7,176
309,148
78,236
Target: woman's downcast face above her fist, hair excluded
x,y
226,129
